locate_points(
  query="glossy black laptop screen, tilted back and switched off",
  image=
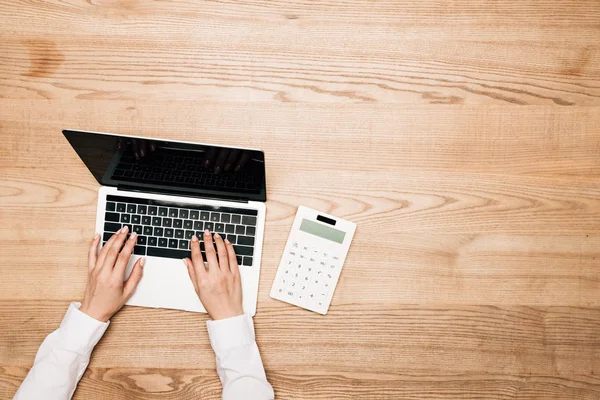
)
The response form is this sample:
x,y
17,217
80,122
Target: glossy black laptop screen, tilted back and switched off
x,y
146,164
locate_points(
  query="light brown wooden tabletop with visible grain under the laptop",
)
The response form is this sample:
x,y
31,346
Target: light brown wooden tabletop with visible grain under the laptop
x,y
462,137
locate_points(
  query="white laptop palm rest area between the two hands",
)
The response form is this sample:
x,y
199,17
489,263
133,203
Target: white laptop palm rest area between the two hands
x,y
165,284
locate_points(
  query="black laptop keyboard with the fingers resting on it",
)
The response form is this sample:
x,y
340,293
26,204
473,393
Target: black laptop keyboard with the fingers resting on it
x,y
164,229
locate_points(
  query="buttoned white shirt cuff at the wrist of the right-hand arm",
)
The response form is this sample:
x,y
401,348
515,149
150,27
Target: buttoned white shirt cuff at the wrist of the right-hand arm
x,y
229,333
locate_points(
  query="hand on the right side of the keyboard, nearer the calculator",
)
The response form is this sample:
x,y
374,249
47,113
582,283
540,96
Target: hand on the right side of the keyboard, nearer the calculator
x,y
220,287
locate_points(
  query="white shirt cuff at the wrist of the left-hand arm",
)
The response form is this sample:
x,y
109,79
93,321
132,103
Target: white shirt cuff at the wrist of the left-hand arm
x,y
80,331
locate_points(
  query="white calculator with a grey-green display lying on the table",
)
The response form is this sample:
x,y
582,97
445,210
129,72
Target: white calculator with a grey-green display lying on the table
x,y
312,260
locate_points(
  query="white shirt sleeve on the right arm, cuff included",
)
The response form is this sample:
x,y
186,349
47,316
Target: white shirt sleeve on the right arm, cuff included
x,y
238,361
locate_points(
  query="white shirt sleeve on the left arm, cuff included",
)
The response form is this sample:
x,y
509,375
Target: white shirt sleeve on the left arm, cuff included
x,y
63,357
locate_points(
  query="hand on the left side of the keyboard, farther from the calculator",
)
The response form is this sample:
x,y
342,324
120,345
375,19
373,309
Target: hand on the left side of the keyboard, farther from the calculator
x,y
106,292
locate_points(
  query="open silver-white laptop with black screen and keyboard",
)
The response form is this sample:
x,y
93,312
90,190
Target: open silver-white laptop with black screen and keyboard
x,y
168,191
